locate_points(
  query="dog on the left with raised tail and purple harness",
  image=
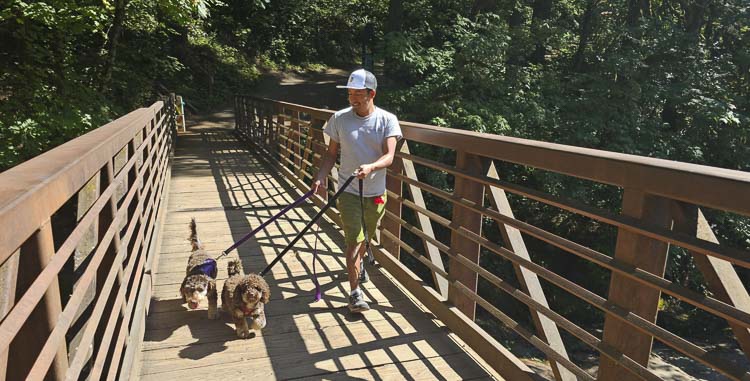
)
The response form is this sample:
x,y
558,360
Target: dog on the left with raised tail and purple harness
x,y
200,277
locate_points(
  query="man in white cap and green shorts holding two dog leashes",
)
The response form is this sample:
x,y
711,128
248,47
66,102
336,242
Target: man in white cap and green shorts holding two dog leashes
x,y
367,136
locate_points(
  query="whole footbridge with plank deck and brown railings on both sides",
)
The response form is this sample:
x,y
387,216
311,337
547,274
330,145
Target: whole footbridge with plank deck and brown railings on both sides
x,y
93,249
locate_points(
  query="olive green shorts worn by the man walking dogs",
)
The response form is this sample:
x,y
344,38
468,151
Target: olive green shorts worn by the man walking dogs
x,y
351,216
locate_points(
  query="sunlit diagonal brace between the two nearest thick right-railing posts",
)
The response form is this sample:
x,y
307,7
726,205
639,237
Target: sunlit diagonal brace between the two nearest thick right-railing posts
x,y
545,328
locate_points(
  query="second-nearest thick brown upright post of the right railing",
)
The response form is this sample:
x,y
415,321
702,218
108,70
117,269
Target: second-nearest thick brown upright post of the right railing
x,y
472,221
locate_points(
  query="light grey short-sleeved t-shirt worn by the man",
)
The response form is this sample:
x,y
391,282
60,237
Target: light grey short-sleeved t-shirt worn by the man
x,y
362,140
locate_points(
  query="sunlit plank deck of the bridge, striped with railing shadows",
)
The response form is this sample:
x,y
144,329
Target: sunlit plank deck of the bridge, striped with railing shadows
x,y
229,191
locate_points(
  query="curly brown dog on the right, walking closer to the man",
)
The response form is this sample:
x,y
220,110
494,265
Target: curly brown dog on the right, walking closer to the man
x,y
245,296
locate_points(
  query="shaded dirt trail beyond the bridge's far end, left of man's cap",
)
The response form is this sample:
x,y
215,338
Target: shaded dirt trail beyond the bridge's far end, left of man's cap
x,y
310,89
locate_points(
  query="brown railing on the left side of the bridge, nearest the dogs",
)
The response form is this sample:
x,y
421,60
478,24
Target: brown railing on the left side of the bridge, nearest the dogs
x,y
77,238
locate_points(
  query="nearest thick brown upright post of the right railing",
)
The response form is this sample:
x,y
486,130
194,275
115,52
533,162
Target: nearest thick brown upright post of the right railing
x,y
646,254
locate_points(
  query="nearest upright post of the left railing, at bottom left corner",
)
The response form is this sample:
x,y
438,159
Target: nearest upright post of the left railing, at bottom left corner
x,y
35,254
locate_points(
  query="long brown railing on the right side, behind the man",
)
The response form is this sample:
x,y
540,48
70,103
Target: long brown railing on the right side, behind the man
x,y
661,203
